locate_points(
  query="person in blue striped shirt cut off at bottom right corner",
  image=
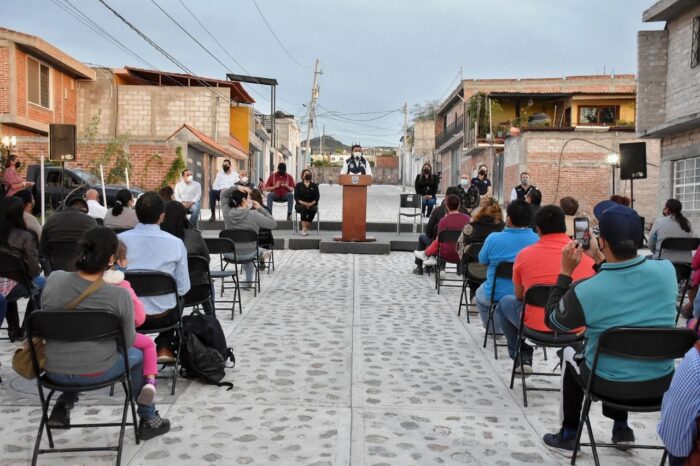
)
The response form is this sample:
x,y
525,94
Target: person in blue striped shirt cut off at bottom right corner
x,y
680,410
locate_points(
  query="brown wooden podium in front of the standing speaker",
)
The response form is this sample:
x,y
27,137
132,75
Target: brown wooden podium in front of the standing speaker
x,y
354,207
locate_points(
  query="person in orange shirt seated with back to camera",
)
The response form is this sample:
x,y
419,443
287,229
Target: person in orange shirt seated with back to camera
x,y
537,264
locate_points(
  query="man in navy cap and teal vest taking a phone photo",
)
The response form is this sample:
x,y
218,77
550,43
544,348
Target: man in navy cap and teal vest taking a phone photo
x,y
627,291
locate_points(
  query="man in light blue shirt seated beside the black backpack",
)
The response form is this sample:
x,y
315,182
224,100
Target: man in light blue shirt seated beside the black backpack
x,y
150,248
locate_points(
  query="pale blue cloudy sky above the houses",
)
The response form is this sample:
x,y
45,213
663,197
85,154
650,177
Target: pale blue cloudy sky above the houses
x,y
375,55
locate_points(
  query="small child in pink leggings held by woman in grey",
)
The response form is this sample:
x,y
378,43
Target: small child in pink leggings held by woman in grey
x,y
142,342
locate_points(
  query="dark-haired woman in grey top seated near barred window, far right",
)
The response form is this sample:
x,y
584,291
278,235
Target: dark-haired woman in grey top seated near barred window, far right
x,y
673,224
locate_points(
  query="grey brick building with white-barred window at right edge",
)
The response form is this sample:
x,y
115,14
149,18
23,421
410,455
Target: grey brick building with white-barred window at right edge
x,y
669,99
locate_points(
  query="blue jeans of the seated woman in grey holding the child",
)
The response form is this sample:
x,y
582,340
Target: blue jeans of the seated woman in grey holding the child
x,y
68,399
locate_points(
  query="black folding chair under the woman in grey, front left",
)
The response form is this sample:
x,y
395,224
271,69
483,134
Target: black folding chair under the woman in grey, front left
x,y
71,327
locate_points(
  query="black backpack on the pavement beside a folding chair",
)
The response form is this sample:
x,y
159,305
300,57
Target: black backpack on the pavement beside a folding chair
x,y
204,353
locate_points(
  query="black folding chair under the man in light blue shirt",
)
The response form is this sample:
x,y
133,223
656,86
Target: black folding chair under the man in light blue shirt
x,y
149,284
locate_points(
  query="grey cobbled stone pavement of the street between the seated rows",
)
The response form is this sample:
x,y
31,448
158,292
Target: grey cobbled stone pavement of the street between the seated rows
x,y
342,360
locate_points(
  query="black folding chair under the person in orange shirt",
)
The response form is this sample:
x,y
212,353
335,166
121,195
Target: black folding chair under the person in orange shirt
x,y
537,295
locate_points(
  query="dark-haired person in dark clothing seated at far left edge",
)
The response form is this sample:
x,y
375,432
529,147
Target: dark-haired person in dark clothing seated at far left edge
x,y
17,241
